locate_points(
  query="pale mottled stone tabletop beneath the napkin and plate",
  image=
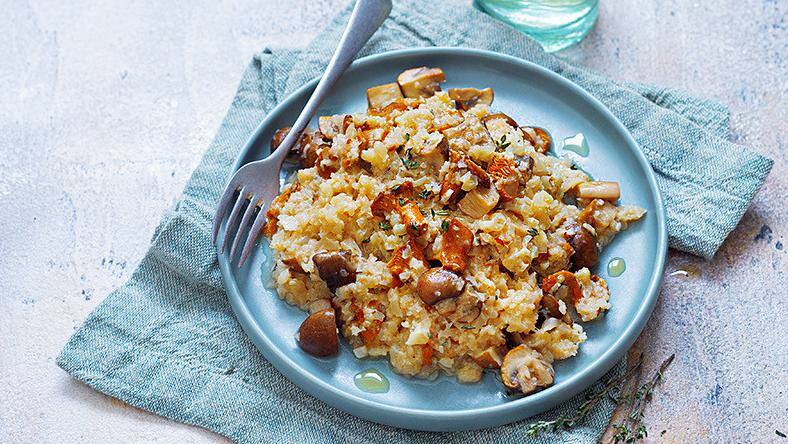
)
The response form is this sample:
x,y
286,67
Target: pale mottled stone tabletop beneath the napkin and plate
x,y
106,108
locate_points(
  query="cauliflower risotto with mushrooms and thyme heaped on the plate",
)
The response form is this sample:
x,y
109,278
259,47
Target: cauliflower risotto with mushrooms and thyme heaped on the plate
x,y
439,233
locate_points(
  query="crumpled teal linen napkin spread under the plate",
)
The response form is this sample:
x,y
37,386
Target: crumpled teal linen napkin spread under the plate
x,y
168,342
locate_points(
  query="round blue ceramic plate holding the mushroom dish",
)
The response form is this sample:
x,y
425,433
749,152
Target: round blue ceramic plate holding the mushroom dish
x,y
531,95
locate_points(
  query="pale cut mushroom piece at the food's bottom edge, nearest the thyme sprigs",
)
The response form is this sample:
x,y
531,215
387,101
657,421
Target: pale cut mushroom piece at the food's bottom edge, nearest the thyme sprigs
x,y
525,369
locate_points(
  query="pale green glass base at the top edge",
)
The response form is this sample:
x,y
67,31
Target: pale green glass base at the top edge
x,y
555,24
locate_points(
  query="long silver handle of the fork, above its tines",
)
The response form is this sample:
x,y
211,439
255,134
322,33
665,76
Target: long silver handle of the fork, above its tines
x,y
366,18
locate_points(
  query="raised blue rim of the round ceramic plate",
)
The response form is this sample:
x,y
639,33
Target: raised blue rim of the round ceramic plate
x,y
473,418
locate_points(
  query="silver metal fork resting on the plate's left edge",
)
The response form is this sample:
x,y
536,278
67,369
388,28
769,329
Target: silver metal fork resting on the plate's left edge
x,y
251,186
